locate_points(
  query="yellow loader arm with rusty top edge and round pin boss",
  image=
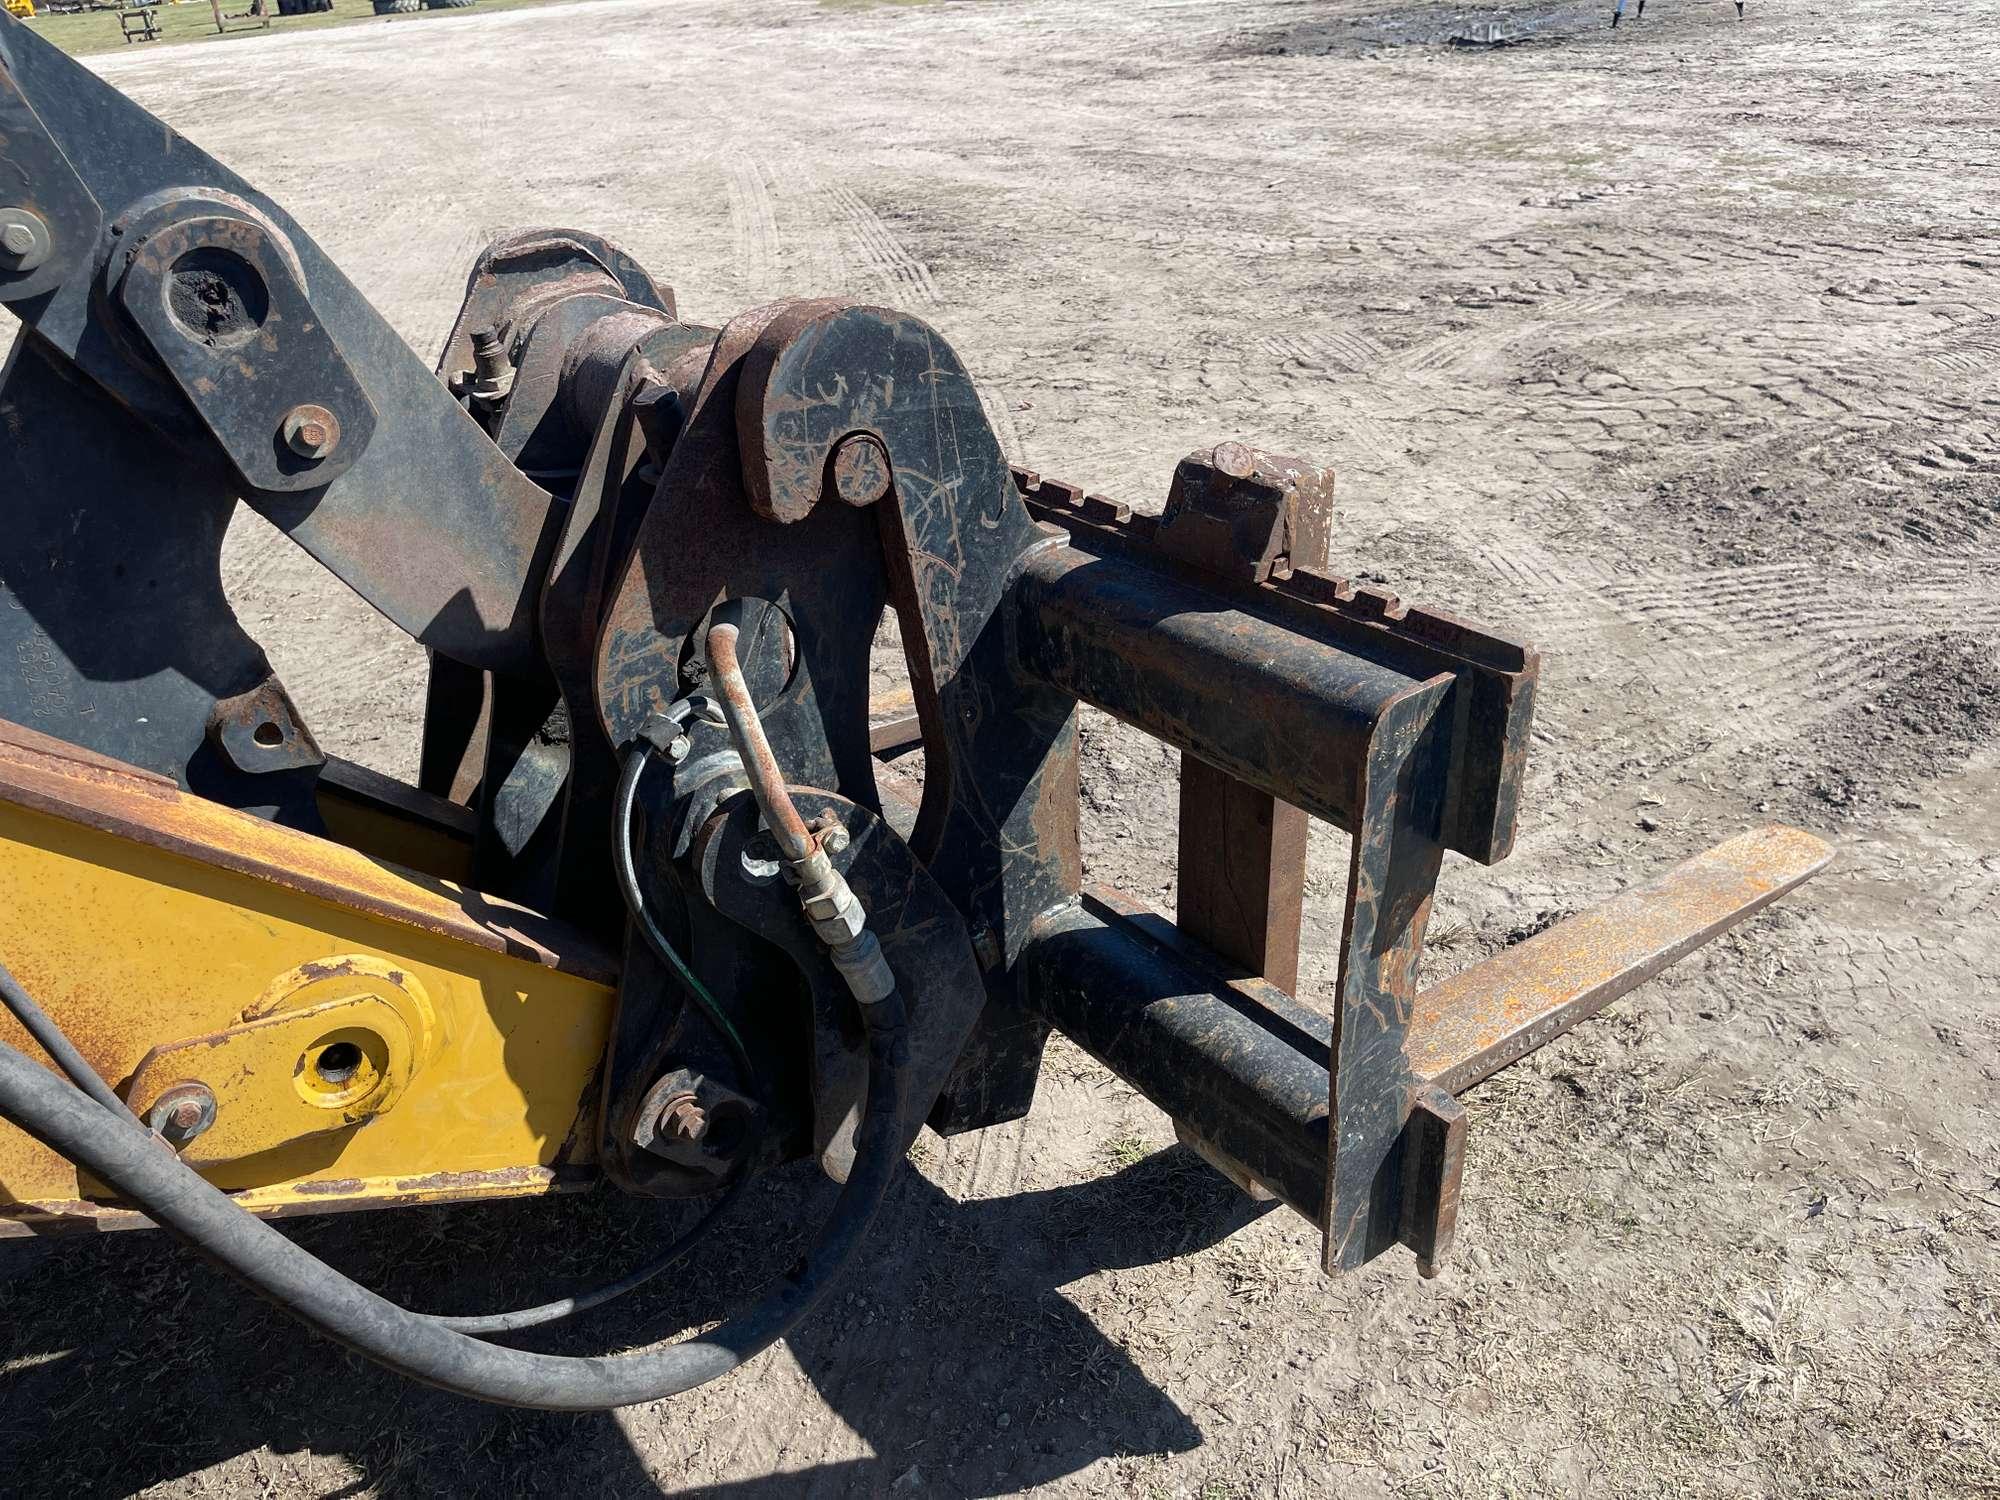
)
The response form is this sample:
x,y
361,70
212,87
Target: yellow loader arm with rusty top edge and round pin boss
x,y
371,1035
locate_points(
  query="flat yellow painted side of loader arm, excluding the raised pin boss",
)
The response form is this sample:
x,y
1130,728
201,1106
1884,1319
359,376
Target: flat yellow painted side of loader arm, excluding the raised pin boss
x,y
133,945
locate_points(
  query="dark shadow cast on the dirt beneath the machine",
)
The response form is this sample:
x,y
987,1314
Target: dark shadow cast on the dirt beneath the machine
x,y
953,1353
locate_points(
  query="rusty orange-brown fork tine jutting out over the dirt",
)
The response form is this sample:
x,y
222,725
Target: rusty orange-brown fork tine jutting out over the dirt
x,y
1495,1013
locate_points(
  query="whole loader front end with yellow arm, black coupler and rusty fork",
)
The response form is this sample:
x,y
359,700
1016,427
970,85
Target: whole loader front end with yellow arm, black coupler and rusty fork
x,y
649,561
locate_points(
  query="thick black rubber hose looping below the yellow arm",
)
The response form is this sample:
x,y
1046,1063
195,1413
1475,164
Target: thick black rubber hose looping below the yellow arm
x,y
133,1161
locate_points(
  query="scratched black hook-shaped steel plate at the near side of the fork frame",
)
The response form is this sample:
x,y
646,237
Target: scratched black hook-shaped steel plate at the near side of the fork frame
x,y
997,825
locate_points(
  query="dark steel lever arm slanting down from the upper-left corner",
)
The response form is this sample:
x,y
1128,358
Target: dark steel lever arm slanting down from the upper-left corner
x,y
431,525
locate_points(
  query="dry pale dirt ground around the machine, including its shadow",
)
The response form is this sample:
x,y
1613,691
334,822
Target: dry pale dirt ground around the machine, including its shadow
x,y
1671,349
